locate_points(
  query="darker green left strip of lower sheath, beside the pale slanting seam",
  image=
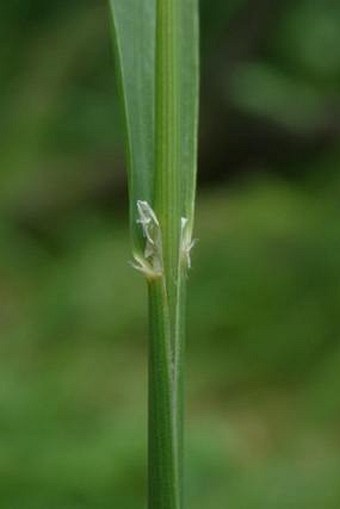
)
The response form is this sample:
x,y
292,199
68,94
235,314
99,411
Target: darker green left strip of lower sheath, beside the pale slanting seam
x,y
163,490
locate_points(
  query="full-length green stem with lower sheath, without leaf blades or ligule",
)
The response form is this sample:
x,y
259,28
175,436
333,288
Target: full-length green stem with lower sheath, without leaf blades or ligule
x,y
166,294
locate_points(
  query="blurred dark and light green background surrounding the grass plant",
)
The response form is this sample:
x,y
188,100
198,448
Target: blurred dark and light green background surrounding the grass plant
x,y
264,311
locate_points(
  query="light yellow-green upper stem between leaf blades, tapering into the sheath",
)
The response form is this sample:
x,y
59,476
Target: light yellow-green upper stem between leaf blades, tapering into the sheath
x,y
167,175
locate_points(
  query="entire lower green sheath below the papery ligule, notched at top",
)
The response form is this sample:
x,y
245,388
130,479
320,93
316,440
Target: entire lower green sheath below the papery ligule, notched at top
x,y
165,402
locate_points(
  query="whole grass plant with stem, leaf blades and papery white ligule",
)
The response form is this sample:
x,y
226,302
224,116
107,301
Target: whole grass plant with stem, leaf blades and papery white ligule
x,y
156,44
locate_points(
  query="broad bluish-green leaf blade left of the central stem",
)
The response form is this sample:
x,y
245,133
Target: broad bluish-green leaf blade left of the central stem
x,y
134,39
